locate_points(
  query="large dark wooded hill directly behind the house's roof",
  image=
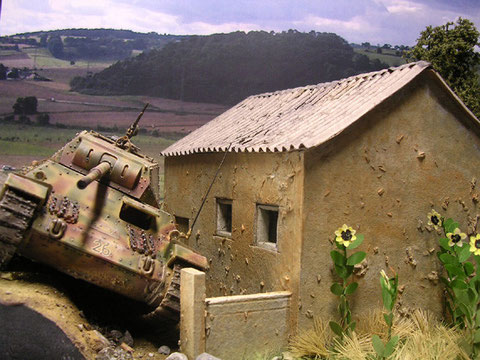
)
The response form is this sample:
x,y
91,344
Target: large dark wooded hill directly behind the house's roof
x,y
225,68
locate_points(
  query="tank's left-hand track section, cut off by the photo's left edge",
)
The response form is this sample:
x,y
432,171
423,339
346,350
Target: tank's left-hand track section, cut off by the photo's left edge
x,y
16,215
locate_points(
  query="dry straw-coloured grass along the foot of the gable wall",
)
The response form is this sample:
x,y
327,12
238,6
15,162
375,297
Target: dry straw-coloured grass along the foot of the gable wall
x,y
421,337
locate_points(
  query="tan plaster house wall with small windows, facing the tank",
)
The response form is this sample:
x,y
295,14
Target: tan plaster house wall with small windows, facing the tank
x,y
237,266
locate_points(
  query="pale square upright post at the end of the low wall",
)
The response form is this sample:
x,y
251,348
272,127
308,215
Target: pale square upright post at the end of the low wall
x,y
192,312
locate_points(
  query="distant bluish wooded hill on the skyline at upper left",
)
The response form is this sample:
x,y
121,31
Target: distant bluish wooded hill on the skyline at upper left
x,y
92,44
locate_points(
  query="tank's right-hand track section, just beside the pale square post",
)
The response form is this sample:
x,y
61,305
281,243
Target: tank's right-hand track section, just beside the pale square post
x,y
170,292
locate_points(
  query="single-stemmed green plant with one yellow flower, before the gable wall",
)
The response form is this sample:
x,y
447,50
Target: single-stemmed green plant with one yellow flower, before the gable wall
x,y
345,238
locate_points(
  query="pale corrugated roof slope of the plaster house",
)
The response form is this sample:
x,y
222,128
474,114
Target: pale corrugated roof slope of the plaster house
x,y
297,118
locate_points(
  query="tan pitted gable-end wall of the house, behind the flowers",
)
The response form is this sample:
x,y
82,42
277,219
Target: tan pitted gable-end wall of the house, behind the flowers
x,y
382,176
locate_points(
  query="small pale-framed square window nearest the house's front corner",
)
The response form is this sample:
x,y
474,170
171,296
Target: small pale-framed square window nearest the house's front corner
x,y
267,226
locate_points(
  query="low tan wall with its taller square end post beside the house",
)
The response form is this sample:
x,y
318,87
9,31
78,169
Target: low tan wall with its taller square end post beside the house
x,y
231,327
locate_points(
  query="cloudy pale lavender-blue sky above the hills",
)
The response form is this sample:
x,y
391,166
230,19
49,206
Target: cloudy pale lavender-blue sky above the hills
x,y
376,21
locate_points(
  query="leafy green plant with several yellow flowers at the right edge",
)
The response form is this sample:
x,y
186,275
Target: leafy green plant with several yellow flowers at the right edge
x,y
462,280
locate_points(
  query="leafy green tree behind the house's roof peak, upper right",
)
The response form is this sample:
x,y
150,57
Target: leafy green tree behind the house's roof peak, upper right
x,y
450,48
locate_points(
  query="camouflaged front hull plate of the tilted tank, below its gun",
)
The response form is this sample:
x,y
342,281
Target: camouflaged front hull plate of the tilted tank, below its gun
x,y
98,234
